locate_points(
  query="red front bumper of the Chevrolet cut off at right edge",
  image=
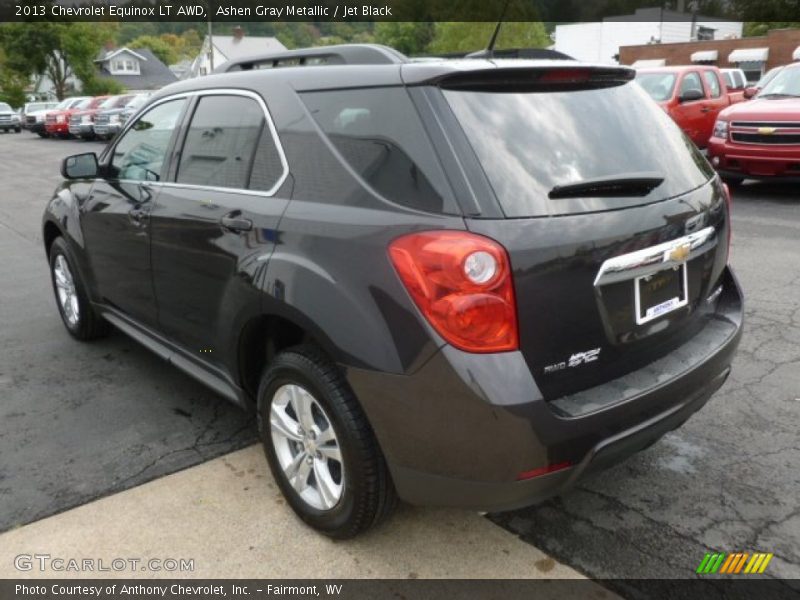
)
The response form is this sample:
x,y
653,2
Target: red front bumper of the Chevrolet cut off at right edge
x,y
755,161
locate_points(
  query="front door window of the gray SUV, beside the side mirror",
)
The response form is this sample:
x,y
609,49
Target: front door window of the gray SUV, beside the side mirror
x,y
139,155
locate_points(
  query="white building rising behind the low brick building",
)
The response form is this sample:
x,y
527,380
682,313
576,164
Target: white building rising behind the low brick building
x,y
600,42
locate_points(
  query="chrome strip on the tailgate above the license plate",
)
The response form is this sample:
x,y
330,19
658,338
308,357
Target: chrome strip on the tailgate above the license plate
x,y
641,262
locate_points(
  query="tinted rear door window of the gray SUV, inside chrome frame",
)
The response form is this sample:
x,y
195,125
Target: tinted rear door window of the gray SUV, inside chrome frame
x,y
229,144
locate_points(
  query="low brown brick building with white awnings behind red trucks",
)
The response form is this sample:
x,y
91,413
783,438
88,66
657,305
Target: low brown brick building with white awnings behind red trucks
x,y
755,55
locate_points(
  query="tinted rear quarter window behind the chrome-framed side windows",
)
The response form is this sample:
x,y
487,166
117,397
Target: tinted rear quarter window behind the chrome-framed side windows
x,y
379,133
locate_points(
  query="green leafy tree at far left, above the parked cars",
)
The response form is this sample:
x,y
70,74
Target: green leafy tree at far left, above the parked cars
x,y
57,50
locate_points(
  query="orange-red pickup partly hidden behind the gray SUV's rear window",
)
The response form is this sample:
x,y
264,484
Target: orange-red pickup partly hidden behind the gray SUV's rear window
x,y
692,95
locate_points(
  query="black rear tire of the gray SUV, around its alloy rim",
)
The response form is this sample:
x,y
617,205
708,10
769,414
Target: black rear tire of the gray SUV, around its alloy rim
x,y
368,495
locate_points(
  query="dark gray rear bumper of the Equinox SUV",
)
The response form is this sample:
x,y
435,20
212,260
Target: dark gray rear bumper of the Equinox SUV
x,y
461,429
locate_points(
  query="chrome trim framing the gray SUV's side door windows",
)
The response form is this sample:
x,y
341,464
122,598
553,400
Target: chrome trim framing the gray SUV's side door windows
x,y
212,92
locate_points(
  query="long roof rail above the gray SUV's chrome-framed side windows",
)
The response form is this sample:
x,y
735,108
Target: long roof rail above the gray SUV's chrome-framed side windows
x,y
344,54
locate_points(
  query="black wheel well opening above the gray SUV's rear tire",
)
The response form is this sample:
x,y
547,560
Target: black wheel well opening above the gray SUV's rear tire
x,y
260,341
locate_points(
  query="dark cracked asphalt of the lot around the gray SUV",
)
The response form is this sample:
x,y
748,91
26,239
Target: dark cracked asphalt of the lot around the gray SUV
x,y
83,421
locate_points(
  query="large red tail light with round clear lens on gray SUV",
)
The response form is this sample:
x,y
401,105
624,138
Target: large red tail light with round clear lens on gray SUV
x,y
462,284
